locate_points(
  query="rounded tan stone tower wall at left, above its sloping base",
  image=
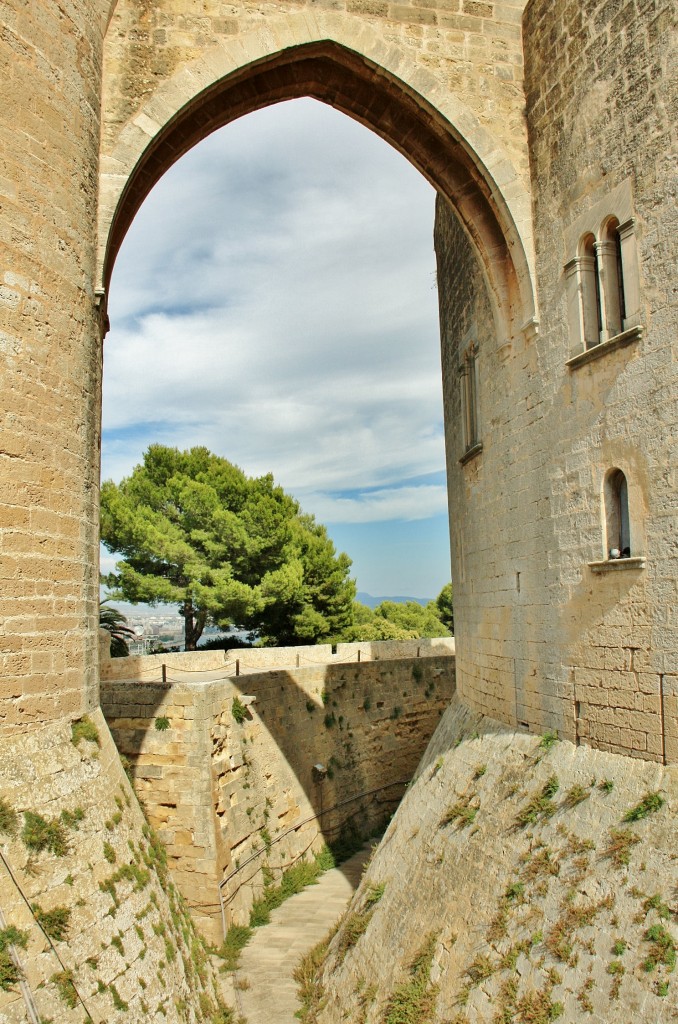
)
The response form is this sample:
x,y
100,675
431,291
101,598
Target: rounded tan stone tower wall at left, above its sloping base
x,y
51,65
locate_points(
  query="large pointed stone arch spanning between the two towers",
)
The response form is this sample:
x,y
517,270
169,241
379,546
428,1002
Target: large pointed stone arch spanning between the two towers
x,y
462,161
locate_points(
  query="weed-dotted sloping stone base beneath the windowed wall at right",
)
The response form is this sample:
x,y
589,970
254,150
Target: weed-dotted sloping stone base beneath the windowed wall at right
x,y
529,919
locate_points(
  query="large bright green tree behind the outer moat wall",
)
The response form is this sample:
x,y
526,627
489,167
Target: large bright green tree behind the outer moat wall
x,y
228,549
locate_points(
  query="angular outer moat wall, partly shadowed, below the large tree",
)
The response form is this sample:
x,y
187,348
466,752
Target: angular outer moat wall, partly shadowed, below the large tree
x,y
244,775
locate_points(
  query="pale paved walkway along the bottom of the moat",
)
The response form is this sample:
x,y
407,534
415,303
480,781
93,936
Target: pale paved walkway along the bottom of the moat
x,y
271,957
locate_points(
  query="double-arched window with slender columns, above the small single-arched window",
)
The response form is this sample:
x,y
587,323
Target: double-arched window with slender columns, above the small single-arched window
x,y
604,296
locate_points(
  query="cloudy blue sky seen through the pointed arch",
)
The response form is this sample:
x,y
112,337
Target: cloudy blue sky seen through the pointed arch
x,y
275,301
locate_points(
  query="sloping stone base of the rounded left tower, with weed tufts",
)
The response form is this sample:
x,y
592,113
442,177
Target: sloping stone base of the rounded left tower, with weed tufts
x,y
121,915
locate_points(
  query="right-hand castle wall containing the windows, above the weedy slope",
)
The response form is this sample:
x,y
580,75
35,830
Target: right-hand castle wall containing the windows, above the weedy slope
x,y
550,634
